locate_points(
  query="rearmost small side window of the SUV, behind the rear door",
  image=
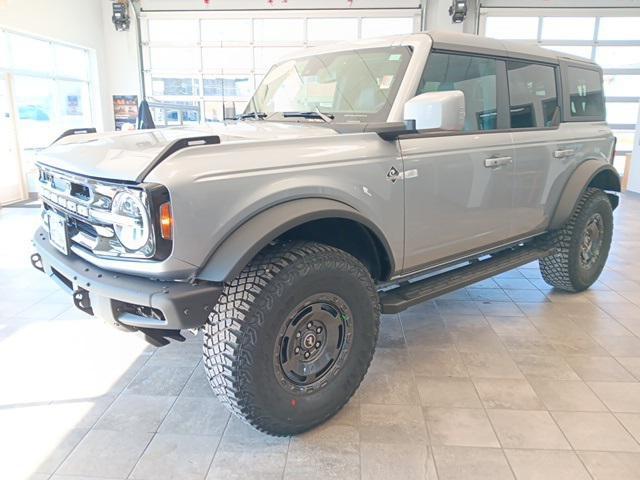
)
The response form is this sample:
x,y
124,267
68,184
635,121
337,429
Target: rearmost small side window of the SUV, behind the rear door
x,y
586,98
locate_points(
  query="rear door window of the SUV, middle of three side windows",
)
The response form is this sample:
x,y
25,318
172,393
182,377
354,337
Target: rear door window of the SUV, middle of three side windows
x,y
533,97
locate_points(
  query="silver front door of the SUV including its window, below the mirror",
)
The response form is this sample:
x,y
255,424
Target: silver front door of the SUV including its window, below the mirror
x,y
459,186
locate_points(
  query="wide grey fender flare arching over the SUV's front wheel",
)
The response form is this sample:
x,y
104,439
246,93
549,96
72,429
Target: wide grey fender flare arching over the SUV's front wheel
x,y
246,241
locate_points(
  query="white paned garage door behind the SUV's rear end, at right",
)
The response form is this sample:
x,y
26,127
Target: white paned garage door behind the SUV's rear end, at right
x,y
611,37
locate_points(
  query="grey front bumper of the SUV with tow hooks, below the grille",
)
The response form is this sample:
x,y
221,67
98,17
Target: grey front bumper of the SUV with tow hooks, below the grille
x,y
127,300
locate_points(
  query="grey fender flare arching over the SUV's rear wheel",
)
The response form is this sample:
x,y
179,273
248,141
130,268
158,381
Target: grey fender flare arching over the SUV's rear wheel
x,y
588,173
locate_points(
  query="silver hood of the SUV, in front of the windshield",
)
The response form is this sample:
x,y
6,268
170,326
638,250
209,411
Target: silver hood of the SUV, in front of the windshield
x,y
126,155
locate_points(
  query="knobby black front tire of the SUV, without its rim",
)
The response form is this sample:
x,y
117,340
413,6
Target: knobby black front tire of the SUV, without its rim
x,y
242,332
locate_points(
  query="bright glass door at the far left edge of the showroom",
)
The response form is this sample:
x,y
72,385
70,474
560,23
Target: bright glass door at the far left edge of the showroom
x,y
11,181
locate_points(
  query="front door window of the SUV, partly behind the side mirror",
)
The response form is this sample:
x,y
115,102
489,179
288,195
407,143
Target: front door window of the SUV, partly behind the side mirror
x,y
474,76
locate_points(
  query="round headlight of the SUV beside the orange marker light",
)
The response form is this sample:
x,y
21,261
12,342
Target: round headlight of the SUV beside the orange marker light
x,y
133,229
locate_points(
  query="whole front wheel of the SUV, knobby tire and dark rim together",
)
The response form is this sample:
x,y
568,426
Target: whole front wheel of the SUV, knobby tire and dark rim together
x,y
292,337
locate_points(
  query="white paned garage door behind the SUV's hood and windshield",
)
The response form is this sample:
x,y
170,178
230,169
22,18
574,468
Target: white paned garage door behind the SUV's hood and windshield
x,y
213,61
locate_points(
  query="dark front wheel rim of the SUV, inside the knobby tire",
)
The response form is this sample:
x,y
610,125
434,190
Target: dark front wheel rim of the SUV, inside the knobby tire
x,y
313,343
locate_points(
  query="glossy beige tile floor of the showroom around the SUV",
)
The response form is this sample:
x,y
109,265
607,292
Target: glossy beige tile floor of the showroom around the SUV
x,y
505,379
